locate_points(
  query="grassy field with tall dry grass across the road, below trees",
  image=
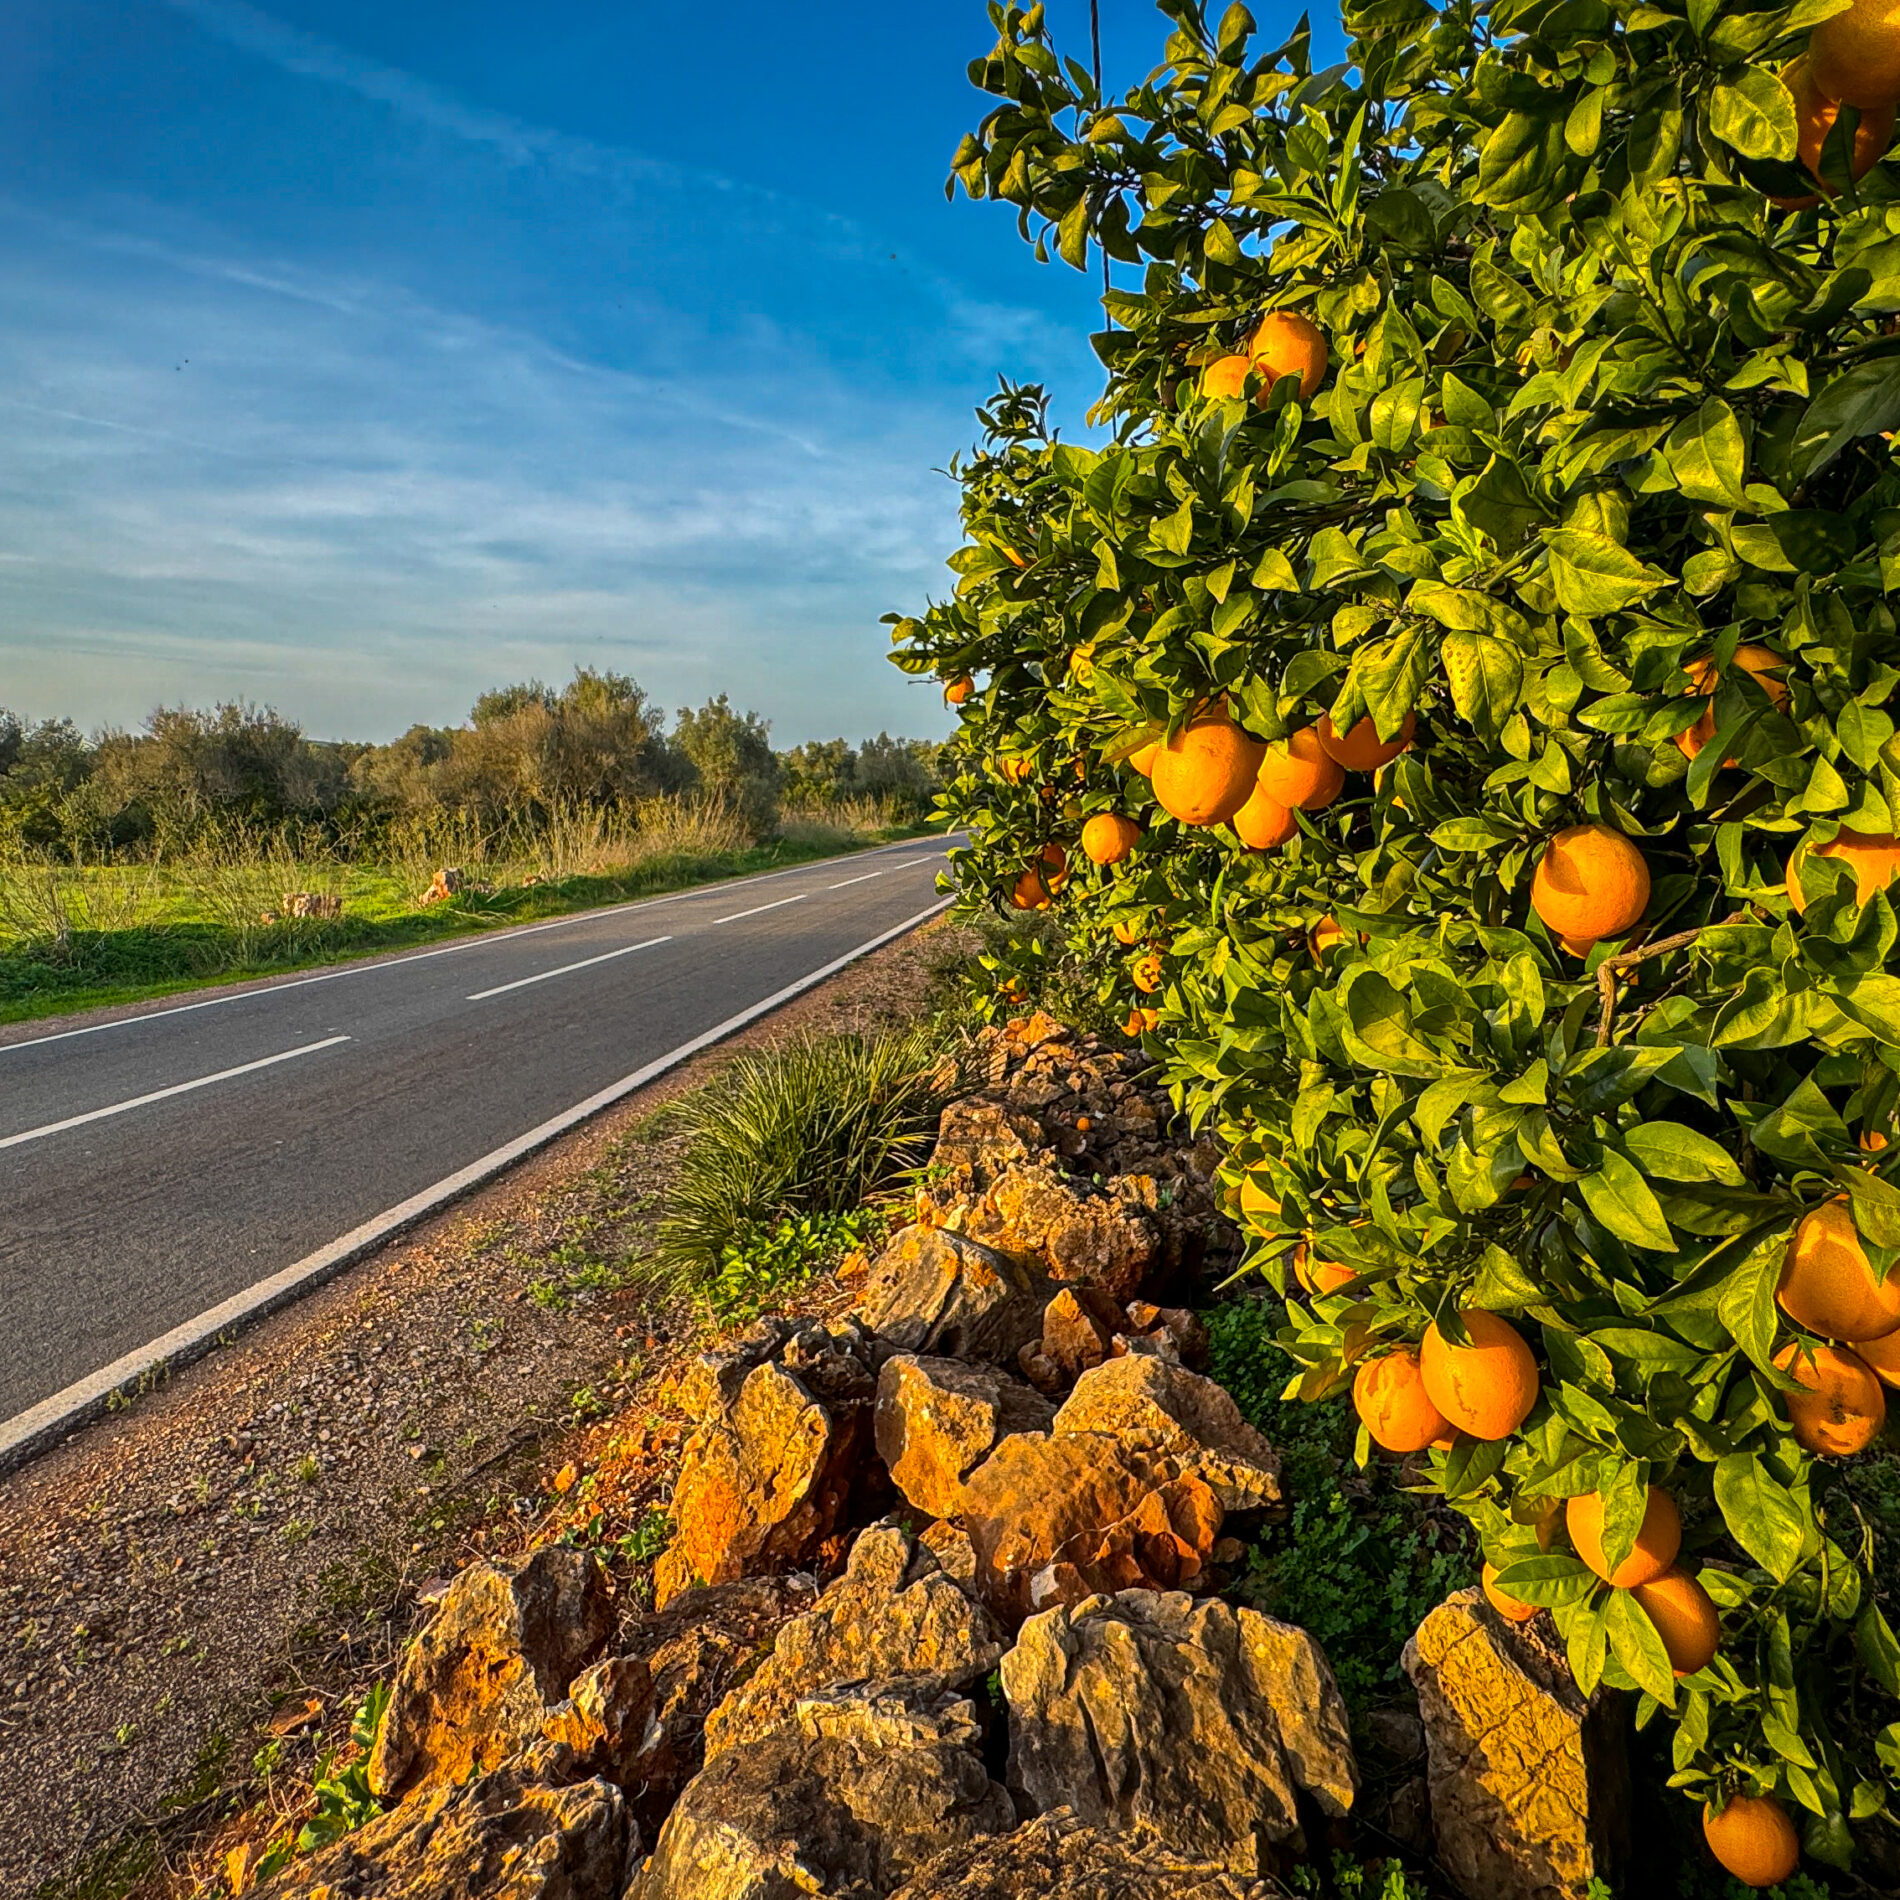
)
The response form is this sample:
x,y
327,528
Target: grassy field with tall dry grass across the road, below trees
x,y
90,936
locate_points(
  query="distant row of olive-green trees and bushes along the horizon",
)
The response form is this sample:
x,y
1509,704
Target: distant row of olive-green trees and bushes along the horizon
x,y
523,755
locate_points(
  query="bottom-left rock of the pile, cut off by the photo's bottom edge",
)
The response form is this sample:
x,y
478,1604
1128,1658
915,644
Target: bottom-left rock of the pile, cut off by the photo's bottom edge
x,y
503,1836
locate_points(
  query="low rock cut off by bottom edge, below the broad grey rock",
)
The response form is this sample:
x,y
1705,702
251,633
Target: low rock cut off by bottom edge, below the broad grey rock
x,y
1057,1857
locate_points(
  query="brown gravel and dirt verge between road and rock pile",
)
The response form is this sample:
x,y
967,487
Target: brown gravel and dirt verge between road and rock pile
x,y
197,1589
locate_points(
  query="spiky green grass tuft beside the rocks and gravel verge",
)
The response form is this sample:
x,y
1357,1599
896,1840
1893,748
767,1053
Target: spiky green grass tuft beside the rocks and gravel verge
x,y
822,1126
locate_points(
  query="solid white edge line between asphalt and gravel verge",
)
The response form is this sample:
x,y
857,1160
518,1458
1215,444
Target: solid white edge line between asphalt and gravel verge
x,y
54,1418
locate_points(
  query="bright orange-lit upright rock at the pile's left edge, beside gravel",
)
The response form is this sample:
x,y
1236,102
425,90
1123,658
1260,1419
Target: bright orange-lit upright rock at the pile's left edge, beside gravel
x,y
763,1481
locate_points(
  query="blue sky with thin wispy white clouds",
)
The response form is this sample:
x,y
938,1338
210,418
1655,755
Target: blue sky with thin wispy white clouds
x,y
360,356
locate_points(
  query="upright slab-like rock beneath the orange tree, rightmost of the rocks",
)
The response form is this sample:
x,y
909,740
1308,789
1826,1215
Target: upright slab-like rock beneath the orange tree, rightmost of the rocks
x,y
1530,1785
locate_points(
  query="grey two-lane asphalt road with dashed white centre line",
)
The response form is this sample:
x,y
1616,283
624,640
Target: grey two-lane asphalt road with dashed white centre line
x,y
161,1166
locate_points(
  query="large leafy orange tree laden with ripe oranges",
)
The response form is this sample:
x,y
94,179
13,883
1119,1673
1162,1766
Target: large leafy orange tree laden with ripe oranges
x,y
1506,411
